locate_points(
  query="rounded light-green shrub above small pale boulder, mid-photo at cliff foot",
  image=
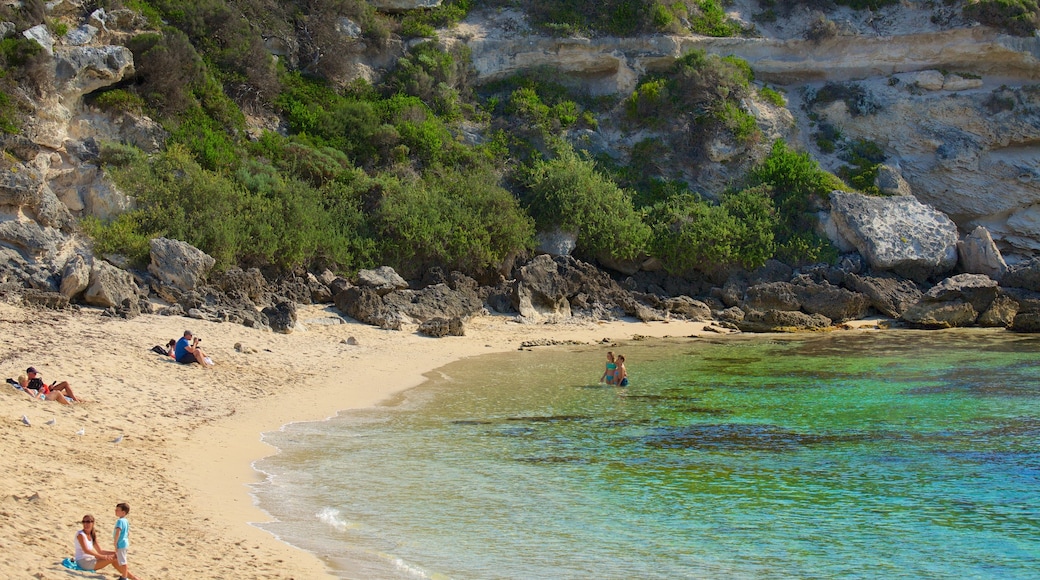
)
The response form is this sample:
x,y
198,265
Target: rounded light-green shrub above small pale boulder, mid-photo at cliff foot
x,y
569,194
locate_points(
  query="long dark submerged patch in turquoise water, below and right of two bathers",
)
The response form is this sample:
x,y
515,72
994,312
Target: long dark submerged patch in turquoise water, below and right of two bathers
x,y
742,437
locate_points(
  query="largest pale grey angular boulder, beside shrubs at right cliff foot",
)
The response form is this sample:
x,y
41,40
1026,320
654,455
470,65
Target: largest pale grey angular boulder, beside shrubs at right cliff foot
x,y
897,234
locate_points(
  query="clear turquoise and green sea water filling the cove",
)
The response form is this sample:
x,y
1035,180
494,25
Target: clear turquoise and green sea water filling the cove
x,y
895,455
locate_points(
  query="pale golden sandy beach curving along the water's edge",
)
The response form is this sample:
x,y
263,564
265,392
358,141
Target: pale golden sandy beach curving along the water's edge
x,y
190,435
